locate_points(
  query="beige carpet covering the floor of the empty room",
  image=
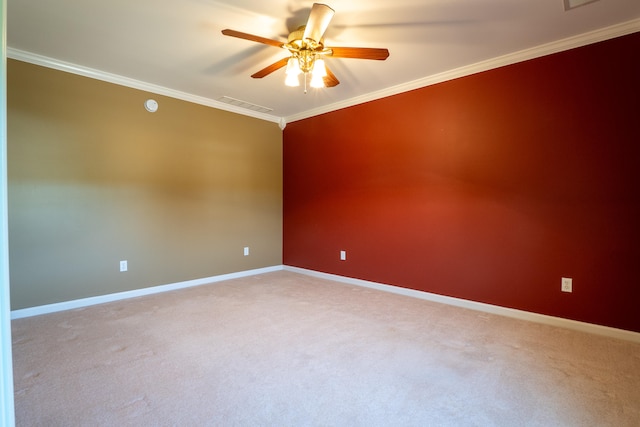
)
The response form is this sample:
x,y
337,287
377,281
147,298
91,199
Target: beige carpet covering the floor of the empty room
x,y
284,349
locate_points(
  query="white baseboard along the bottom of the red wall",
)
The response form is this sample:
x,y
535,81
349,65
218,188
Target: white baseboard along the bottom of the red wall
x,y
478,306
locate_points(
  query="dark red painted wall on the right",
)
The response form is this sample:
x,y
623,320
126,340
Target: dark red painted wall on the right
x,y
489,188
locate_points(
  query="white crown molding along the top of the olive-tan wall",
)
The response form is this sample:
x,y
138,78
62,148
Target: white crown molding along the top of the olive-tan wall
x,y
68,67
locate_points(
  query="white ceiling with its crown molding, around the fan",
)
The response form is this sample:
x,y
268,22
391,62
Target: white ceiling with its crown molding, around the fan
x,y
176,48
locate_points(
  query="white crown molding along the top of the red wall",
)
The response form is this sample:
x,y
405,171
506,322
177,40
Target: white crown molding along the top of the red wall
x,y
602,34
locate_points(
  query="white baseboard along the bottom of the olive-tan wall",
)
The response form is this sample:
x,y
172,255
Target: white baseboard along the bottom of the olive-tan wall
x,y
85,302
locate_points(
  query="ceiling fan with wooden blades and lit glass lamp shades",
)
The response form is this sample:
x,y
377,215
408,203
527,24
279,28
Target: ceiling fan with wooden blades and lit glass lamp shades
x,y
307,51
